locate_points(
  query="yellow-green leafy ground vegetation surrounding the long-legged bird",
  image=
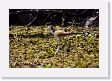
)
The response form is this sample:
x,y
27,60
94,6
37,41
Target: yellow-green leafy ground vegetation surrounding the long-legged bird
x,y
34,47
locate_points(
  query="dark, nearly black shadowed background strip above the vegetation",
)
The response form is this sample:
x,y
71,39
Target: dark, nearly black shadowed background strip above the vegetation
x,y
43,16
